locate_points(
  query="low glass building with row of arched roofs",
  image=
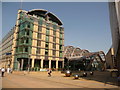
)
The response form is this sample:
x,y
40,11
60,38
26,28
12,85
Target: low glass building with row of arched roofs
x,y
76,58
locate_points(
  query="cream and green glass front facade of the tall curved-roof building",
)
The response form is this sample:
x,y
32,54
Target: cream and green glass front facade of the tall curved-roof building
x,y
39,37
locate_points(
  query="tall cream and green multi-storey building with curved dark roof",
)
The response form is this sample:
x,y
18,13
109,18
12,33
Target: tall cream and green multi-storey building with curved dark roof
x,y
36,41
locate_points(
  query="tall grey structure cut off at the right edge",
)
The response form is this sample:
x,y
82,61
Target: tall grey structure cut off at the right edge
x,y
114,10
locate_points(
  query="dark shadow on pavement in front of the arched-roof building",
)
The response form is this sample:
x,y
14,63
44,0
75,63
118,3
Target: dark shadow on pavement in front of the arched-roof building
x,y
100,76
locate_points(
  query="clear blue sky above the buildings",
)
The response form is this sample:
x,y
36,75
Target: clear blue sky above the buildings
x,y
86,24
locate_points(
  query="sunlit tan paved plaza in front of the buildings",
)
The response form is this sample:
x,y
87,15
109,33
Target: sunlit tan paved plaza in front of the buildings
x,y
41,80
